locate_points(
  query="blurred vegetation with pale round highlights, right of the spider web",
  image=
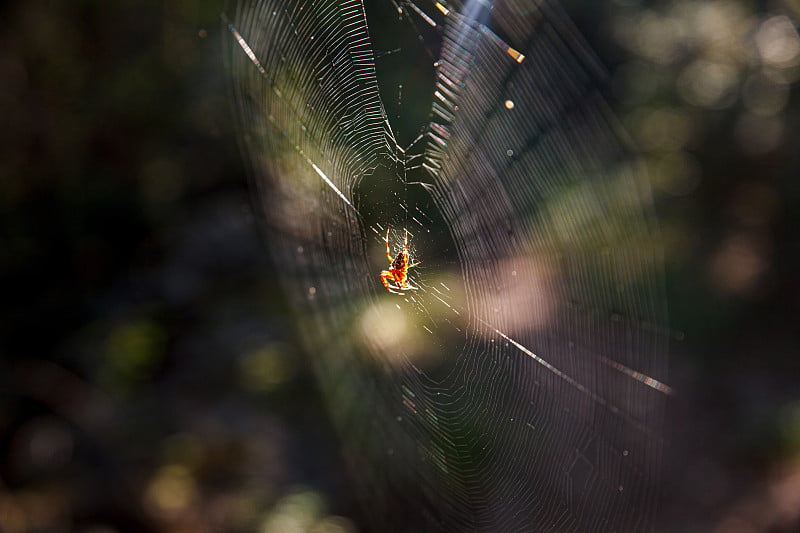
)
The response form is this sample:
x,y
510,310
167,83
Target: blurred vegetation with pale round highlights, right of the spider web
x,y
708,90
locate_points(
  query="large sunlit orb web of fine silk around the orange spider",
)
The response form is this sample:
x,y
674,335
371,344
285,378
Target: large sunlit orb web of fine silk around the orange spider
x,y
521,385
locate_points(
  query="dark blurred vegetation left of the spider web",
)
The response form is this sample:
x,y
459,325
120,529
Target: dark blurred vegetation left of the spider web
x,y
148,375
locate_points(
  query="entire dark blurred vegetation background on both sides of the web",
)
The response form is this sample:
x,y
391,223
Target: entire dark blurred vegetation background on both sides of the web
x,y
149,379
